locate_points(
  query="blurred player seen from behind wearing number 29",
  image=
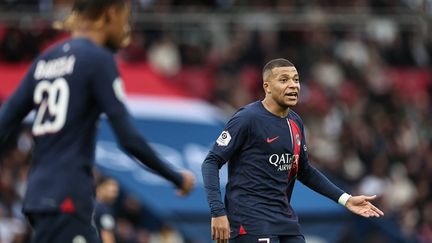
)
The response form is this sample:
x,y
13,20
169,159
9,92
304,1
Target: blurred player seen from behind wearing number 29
x,y
69,86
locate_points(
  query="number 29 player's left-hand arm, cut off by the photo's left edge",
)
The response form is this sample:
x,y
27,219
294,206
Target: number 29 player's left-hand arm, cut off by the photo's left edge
x,y
13,111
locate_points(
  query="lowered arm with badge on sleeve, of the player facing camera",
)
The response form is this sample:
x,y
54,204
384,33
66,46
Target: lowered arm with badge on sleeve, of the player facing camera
x,y
229,141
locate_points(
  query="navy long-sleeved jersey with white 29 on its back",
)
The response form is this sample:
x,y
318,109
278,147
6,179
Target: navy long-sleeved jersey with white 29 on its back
x,y
69,86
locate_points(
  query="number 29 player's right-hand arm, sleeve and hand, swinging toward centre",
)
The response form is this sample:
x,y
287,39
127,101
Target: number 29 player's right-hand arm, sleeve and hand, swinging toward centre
x,y
108,92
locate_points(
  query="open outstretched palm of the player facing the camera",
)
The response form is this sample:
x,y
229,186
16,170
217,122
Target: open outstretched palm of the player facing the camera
x,y
361,205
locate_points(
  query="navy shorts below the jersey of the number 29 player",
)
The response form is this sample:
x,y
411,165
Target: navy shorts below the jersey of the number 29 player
x,y
61,228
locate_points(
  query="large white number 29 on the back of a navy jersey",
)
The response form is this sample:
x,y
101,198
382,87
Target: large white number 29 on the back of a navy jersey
x,y
53,100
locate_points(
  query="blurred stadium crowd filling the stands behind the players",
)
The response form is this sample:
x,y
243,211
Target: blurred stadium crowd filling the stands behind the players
x,y
366,89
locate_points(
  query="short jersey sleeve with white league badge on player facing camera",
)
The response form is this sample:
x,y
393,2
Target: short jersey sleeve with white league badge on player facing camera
x,y
233,136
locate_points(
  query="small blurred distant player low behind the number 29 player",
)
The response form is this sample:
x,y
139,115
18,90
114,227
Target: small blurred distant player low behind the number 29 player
x,y
107,190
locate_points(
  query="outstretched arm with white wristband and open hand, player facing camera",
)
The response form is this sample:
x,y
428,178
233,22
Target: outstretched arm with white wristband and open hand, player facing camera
x,y
314,179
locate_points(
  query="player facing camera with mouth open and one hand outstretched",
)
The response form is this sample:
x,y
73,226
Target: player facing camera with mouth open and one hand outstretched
x,y
265,148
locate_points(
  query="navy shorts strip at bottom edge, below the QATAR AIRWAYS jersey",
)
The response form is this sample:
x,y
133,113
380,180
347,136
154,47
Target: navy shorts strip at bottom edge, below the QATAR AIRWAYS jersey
x,y
268,239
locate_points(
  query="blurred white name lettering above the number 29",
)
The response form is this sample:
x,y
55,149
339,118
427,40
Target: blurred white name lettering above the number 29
x,y
54,68
